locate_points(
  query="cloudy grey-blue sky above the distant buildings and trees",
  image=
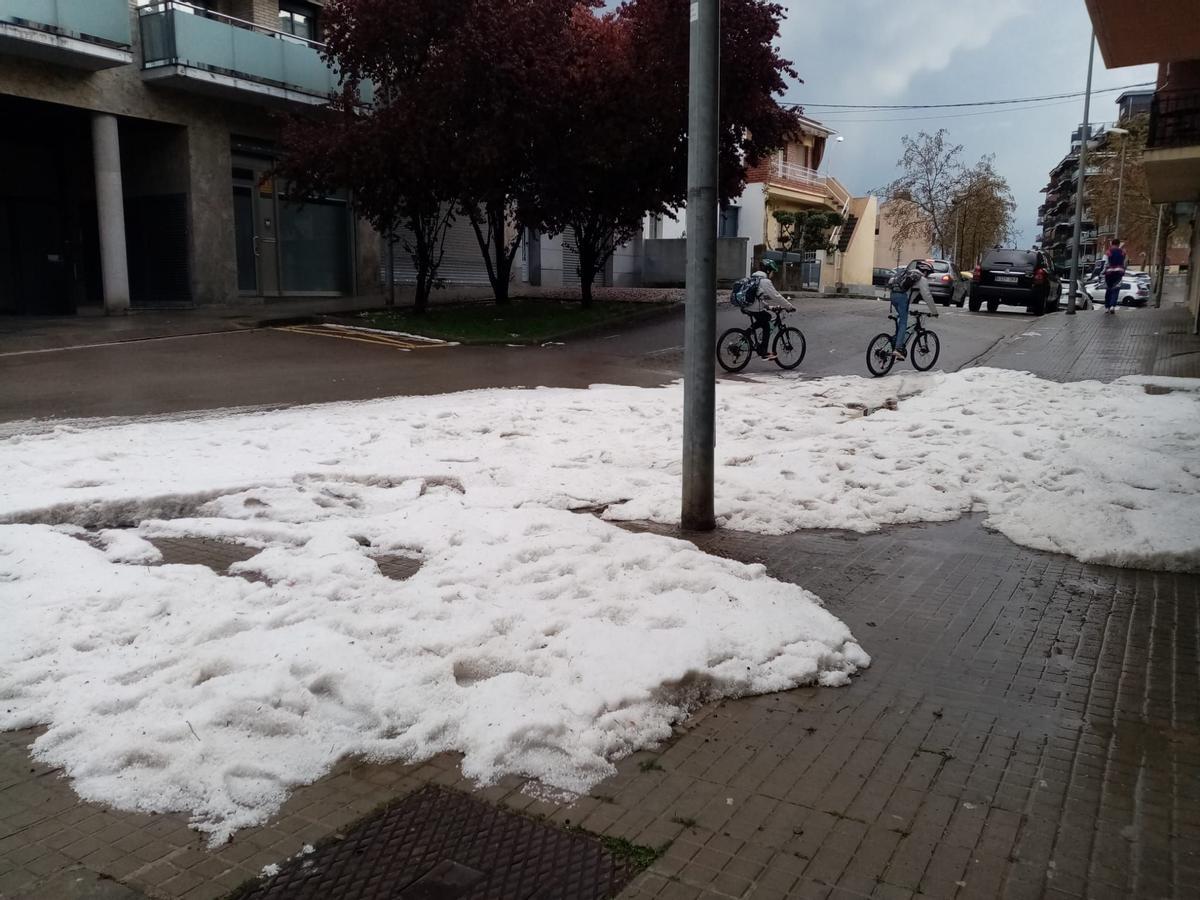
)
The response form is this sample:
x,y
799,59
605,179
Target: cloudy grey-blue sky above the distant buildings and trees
x,y
947,52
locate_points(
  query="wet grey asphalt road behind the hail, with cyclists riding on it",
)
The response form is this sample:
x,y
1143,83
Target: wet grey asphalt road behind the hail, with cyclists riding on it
x,y
274,368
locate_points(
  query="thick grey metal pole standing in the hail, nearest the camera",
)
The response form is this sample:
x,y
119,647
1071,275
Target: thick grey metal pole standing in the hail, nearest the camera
x,y
700,315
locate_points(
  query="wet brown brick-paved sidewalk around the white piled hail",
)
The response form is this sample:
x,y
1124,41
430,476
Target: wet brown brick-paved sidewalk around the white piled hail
x,y
1030,728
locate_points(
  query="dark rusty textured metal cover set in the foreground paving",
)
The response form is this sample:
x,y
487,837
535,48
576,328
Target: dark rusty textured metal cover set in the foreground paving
x,y
441,845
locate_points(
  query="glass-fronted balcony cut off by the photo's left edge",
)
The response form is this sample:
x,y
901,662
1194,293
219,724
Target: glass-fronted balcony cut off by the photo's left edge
x,y
86,34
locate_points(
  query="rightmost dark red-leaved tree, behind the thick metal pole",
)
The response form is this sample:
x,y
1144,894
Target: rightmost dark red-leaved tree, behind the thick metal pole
x,y
622,123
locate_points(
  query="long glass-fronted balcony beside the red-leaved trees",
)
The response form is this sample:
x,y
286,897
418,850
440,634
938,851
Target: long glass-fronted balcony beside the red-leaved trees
x,y
179,37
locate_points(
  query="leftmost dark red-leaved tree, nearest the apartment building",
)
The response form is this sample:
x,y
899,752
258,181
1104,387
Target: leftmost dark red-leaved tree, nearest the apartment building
x,y
392,154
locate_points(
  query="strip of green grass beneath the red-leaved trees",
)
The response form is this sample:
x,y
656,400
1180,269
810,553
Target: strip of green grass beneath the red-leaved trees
x,y
520,322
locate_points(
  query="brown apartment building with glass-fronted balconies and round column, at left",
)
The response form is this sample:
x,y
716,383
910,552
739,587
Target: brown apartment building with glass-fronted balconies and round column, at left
x,y
137,153
